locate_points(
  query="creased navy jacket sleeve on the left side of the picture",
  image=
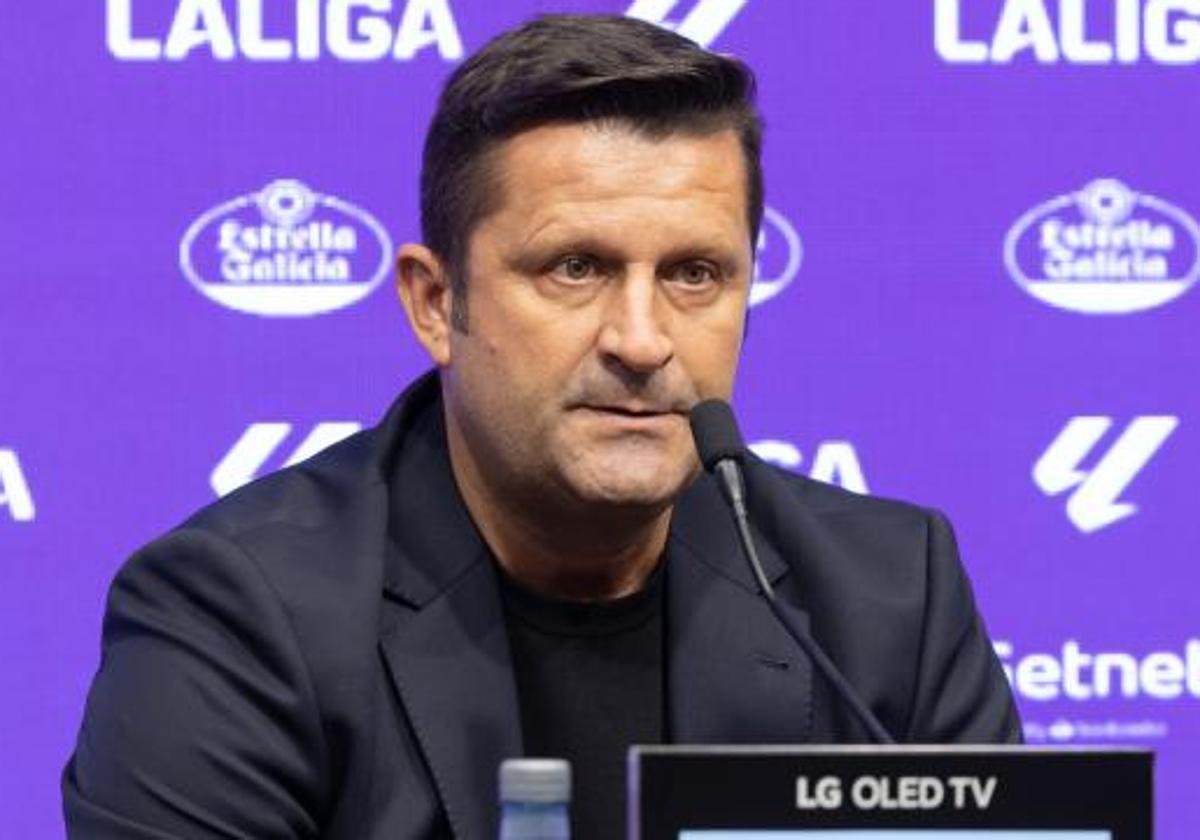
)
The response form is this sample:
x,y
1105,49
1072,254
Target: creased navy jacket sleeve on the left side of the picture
x,y
202,721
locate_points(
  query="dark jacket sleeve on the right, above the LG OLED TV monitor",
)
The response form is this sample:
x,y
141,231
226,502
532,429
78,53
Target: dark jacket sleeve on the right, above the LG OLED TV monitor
x,y
962,694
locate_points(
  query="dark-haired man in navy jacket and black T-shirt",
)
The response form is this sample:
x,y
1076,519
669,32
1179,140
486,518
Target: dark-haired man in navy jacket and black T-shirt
x,y
521,557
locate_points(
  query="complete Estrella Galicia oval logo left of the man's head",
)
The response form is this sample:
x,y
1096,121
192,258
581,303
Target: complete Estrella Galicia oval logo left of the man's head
x,y
286,251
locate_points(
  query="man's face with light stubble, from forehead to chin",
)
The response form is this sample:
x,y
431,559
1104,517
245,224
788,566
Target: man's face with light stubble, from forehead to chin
x,y
607,296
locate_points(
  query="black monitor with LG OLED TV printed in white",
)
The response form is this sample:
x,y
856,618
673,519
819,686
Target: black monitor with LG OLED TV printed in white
x,y
890,794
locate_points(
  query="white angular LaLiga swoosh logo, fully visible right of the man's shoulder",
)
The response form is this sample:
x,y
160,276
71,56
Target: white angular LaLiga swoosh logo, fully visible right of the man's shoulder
x,y
1095,506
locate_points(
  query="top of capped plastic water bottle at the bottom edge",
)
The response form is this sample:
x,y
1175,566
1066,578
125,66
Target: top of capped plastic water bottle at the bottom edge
x,y
536,795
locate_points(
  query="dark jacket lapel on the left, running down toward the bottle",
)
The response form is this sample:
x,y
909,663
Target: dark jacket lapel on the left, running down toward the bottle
x,y
445,640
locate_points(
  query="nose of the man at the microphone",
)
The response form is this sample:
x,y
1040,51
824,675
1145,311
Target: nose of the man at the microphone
x,y
634,332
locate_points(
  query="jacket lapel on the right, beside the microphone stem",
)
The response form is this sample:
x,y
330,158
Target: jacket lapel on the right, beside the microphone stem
x,y
735,675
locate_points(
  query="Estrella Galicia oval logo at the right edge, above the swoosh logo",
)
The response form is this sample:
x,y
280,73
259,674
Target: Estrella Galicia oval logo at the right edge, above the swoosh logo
x,y
1105,250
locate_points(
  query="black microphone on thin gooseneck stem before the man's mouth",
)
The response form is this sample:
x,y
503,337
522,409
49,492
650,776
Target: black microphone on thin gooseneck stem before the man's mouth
x,y
722,452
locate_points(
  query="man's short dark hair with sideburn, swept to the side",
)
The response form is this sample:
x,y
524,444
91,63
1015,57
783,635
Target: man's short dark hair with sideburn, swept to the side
x,y
573,69
